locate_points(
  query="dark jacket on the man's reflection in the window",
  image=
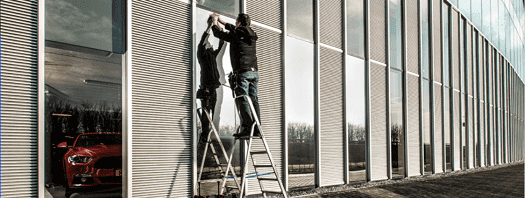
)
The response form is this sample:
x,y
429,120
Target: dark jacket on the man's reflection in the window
x,y
208,62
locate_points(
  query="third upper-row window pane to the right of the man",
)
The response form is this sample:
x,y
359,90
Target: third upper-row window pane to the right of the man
x,y
396,48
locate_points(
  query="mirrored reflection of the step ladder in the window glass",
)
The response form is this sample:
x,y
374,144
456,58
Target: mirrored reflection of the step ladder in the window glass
x,y
216,156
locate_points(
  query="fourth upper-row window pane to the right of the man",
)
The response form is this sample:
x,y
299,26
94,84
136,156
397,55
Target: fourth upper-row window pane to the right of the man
x,y
425,59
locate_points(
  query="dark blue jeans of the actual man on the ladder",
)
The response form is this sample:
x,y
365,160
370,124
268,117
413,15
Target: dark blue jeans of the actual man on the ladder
x,y
247,85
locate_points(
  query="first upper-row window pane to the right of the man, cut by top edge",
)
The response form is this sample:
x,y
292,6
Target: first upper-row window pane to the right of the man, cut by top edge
x,y
300,18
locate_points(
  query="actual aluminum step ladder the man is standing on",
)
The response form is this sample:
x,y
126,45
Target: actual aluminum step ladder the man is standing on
x,y
251,154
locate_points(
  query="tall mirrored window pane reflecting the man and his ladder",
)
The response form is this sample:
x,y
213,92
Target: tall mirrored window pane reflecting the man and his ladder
x,y
213,66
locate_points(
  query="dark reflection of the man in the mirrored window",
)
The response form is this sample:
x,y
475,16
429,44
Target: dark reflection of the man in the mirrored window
x,y
209,78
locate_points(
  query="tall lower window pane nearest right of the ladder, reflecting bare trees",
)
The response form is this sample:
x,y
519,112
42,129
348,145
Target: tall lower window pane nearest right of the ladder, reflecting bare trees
x,y
300,111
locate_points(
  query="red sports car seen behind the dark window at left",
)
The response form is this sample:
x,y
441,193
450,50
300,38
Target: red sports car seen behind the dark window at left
x,y
95,159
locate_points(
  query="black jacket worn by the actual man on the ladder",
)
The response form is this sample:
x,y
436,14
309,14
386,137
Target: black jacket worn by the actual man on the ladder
x,y
242,45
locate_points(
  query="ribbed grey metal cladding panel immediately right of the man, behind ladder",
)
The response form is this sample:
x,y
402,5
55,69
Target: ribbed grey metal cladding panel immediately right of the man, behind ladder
x,y
269,57
